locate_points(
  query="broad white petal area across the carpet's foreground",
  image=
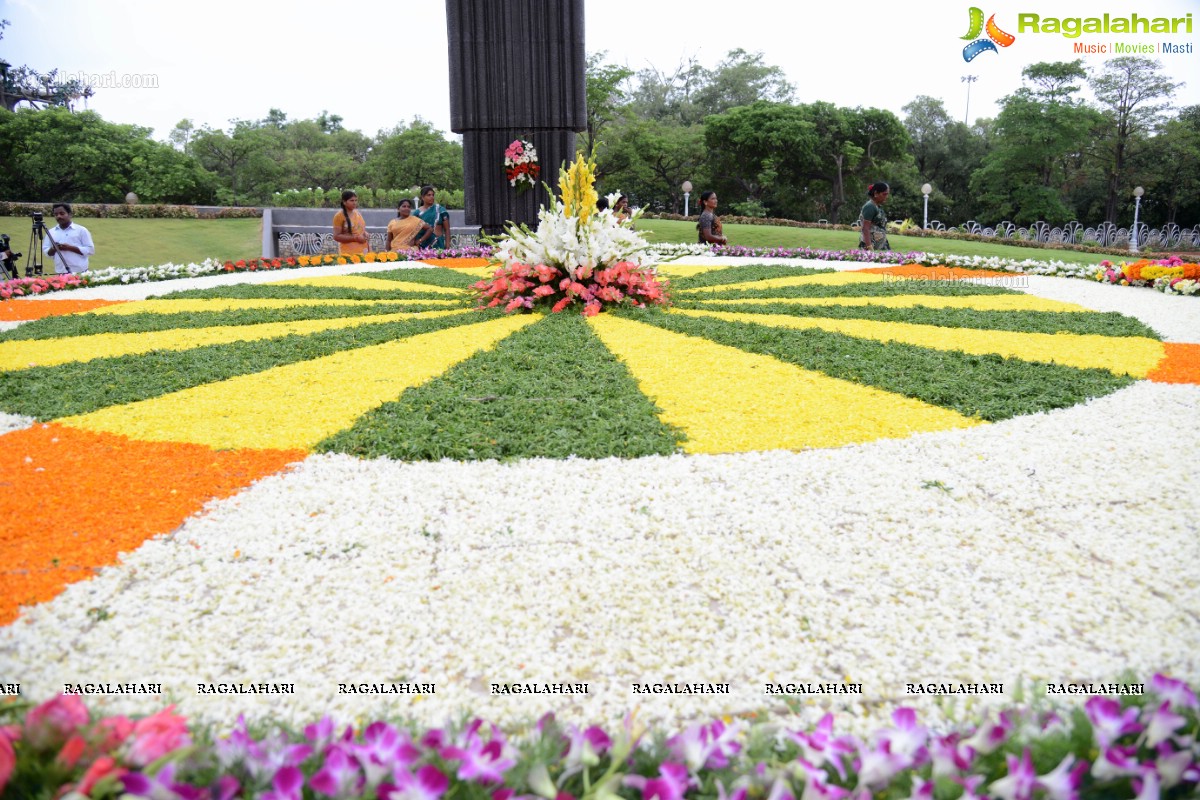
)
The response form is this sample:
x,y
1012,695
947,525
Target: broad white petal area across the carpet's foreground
x,y
1034,548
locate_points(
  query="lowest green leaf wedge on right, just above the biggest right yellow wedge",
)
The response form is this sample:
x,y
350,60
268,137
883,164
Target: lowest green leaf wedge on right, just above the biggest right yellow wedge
x,y
987,387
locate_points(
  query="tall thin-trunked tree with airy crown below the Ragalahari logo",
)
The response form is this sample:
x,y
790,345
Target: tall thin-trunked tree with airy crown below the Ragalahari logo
x,y
1131,91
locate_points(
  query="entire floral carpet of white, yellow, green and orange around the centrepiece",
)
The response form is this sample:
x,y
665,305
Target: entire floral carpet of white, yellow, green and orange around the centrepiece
x,y
872,480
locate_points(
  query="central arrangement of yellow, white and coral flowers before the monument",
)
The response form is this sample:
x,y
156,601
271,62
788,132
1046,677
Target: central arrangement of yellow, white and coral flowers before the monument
x,y
578,256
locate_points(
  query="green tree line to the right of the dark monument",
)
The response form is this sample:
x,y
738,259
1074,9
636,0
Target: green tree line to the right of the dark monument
x,y
1048,155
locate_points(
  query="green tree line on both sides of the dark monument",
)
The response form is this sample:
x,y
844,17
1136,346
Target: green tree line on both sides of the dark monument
x,y
735,129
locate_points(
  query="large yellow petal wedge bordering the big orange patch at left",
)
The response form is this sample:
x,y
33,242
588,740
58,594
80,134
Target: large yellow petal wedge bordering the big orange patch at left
x,y
298,405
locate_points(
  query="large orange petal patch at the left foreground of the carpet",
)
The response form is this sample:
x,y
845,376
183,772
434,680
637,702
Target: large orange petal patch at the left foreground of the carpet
x,y
71,502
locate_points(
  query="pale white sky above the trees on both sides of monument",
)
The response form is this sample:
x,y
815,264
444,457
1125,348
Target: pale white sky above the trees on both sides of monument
x,y
383,64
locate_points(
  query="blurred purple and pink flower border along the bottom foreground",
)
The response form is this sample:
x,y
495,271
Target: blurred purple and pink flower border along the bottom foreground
x,y
1139,747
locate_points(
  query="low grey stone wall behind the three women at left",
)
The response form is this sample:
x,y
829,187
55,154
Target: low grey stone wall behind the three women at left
x,y
310,232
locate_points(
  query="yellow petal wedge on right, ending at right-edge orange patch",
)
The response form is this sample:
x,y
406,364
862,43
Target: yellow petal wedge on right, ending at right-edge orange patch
x,y
1124,356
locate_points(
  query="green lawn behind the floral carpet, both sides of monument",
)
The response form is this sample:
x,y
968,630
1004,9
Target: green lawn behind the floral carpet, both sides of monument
x,y
147,243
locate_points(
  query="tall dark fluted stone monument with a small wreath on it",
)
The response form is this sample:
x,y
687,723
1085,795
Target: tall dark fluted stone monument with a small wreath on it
x,y
517,73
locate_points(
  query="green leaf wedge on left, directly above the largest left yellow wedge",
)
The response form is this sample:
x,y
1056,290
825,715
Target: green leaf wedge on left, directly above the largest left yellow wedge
x,y
52,393
